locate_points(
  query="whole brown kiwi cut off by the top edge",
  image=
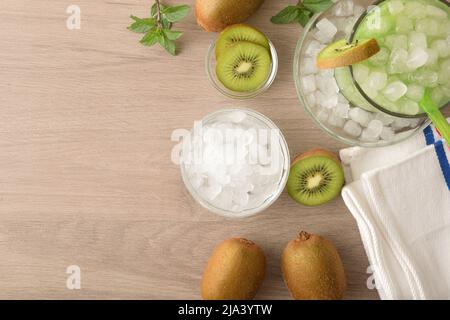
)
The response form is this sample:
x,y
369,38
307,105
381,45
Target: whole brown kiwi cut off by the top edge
x,y
216,15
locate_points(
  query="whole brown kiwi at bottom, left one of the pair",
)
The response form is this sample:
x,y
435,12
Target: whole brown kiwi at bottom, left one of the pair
x,y
235,271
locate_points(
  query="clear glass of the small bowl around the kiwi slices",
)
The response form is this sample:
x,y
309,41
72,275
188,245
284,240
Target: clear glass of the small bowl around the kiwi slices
x,y
210,65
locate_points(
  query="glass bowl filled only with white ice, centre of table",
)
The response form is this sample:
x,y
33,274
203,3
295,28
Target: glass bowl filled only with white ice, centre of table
x,y
235,162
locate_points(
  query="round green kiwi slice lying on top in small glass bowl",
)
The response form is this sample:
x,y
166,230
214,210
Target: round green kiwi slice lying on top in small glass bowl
x,y
244,67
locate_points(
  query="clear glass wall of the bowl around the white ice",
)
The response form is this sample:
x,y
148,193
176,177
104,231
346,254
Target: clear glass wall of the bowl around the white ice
x,y
265,122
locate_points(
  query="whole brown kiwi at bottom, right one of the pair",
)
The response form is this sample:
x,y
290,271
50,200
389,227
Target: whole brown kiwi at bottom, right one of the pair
x,y
312,269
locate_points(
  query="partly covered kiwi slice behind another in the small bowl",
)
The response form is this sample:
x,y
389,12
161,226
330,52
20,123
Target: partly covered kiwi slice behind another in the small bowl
x,y
239,32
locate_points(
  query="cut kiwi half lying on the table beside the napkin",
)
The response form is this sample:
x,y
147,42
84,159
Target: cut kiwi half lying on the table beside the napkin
x,y
315,178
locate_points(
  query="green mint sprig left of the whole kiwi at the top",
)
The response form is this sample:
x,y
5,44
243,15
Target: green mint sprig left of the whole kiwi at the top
x,y
158,27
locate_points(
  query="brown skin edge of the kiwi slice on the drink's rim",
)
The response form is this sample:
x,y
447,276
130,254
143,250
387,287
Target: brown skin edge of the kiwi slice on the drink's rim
x,y
354,56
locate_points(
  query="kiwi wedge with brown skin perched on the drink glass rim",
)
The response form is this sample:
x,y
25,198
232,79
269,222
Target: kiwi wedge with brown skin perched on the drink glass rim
x,y
341,53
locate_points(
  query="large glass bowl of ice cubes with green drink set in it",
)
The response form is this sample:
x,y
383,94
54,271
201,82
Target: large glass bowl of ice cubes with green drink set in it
x,y
345,102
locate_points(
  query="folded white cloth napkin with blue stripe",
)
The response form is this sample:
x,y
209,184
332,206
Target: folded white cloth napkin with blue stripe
x,y
400,198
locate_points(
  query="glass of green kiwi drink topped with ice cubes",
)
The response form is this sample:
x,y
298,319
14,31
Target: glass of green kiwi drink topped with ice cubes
x,y
414,40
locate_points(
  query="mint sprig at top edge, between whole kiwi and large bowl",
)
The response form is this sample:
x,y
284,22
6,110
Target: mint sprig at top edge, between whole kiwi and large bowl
x,y
301,12
